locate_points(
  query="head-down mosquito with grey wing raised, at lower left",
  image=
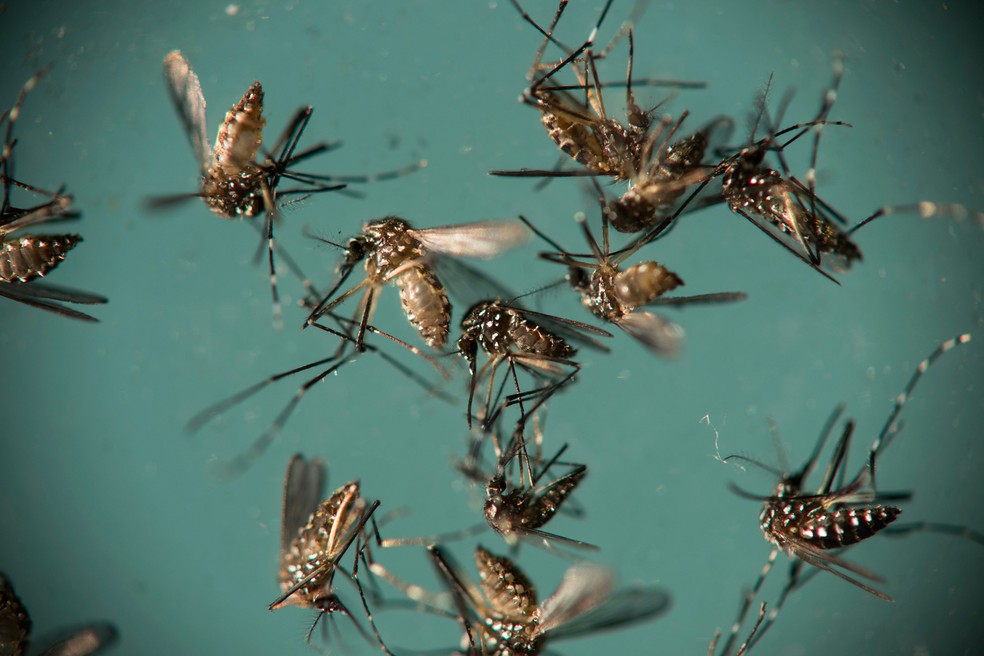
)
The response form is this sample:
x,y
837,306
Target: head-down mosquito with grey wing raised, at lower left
x,y
315,535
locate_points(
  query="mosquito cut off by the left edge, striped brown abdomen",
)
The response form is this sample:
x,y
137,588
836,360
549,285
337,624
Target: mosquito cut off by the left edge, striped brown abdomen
x,y
30,256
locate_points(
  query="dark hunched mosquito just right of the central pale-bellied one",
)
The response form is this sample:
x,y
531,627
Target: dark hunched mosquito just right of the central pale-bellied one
x,y
524,338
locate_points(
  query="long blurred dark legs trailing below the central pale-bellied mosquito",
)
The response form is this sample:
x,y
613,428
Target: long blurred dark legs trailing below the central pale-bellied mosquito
x,y
331,364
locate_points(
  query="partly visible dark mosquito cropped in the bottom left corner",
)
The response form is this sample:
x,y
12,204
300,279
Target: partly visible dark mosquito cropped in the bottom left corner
x,y
15,630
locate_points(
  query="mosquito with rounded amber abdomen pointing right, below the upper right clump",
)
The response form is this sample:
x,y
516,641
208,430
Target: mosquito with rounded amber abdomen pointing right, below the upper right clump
x,y
615,295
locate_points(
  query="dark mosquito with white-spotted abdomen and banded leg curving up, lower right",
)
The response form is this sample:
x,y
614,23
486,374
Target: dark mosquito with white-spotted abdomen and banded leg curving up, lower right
x,y
810,526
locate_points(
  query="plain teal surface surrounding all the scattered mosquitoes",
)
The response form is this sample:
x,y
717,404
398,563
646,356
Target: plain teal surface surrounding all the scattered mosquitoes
x,y
108,510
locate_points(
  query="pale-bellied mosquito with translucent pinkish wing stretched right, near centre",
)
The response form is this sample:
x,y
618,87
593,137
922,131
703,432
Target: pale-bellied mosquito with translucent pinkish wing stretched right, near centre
x,y
395,252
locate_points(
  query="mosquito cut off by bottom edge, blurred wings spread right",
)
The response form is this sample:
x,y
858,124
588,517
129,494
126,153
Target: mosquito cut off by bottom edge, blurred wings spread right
x,y
502,617
